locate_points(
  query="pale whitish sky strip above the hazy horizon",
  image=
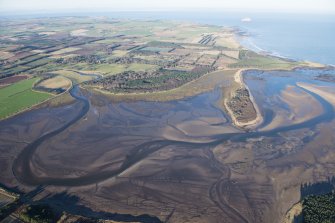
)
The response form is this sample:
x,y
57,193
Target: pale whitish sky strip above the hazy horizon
x,y
297,6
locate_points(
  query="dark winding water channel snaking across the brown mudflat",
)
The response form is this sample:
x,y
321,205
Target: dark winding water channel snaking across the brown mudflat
x,y
24,173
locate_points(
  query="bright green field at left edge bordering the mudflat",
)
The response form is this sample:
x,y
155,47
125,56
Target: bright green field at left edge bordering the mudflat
x,y
19,96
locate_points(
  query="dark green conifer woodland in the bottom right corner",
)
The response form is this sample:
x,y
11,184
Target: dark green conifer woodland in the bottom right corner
x,y
319,208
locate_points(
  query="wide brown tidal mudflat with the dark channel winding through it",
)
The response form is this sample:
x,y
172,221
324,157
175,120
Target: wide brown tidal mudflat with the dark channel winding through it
x,y
182,161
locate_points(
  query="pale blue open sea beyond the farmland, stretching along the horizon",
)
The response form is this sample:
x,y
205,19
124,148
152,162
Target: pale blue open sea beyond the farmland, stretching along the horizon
x,y
298,36
